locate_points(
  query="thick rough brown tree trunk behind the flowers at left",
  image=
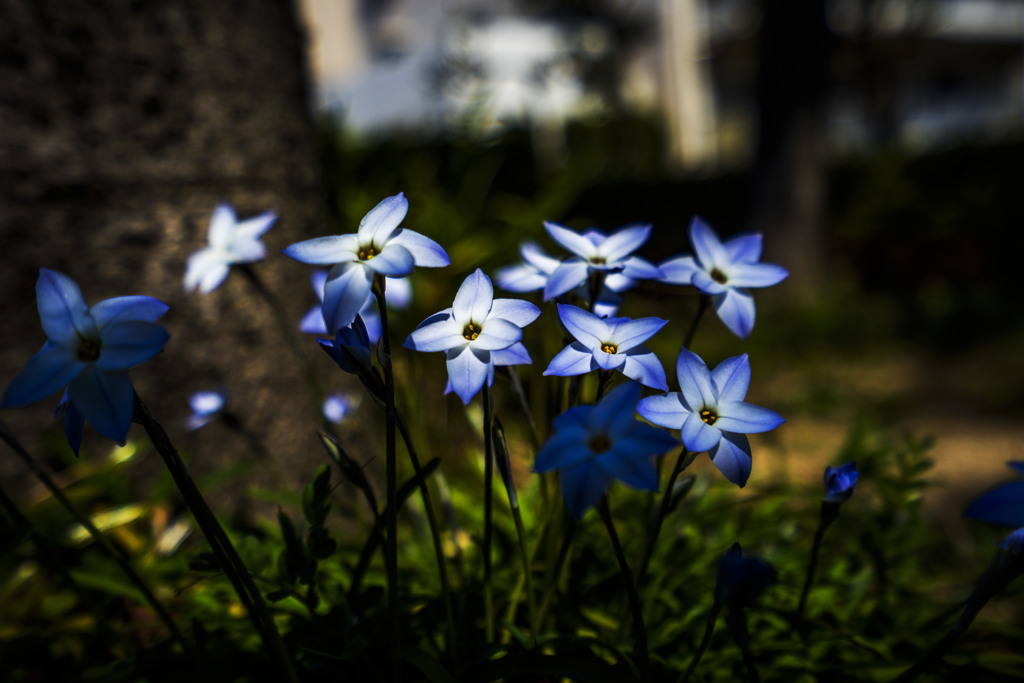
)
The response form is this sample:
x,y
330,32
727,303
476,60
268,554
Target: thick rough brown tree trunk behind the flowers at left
x,y
122,124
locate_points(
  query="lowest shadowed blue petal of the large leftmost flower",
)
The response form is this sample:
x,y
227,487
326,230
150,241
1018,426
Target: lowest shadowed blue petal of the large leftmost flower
x,y
106,399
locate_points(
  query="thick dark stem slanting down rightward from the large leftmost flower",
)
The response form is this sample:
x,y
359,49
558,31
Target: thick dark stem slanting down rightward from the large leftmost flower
x,y
225,552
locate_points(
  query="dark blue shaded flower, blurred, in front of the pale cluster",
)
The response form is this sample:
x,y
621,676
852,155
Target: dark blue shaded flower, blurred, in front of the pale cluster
x,y
594,445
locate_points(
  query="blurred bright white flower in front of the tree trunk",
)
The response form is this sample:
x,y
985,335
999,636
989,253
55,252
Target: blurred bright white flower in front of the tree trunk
x,y
230,242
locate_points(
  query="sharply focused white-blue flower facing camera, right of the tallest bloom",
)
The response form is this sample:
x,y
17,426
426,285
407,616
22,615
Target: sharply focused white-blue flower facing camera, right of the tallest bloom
x,y
478,333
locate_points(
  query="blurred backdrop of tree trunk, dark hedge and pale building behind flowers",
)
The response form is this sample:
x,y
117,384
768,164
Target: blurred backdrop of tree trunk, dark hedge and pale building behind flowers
x,y
877,144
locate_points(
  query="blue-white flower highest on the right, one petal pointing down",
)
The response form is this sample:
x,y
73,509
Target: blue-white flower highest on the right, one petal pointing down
x,y
727,273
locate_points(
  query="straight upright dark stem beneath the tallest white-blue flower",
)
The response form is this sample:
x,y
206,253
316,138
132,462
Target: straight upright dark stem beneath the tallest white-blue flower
x,y
392,557
